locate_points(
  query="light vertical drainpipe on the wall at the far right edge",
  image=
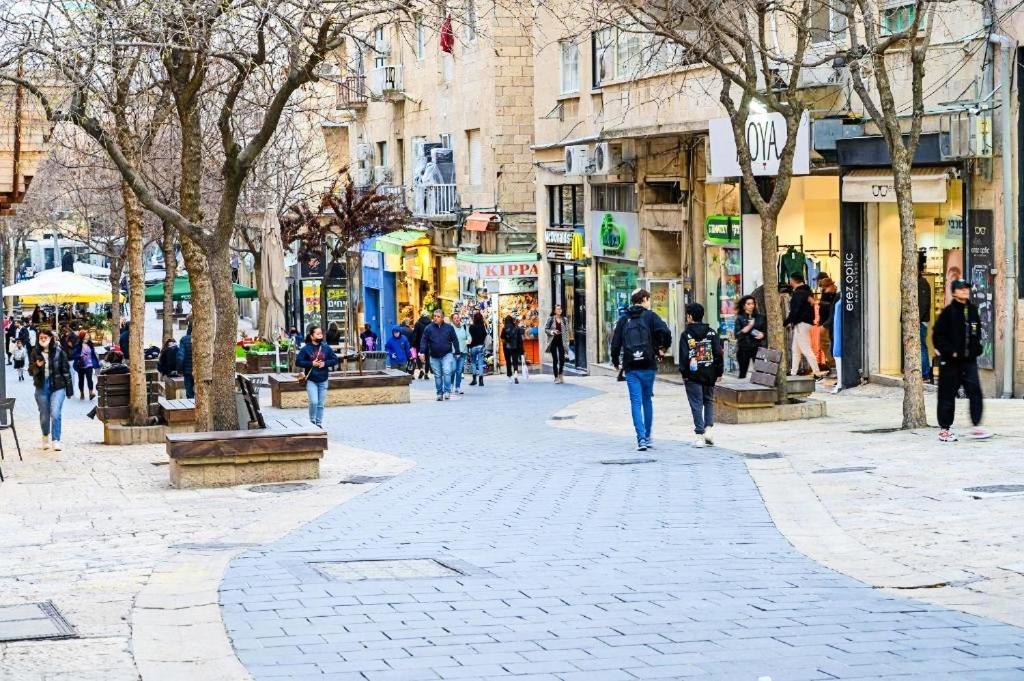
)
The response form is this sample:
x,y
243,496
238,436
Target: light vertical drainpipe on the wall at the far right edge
x,y
1009,243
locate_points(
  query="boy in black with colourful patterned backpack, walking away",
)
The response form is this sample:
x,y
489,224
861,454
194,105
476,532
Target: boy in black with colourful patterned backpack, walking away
x,y
701,363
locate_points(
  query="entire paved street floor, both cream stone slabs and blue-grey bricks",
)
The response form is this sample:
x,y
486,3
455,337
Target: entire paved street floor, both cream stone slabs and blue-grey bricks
x,y
485,538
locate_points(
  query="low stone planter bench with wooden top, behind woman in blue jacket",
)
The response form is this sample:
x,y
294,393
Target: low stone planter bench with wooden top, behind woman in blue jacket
x,y
345,390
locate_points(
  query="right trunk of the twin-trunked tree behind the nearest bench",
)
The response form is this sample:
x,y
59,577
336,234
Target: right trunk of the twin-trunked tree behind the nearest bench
x,y
224,415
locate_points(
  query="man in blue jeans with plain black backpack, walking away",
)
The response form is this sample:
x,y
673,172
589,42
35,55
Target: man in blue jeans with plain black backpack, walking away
x,y
639,343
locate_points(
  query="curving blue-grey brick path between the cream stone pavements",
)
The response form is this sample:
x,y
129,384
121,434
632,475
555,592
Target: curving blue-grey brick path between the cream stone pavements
x,y
573,570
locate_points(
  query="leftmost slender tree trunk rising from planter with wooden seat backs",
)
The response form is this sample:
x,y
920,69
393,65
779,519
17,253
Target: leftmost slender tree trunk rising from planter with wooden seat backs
x,y
139,412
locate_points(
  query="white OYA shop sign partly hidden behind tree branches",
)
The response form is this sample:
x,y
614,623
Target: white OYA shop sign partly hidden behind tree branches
x,y
766,137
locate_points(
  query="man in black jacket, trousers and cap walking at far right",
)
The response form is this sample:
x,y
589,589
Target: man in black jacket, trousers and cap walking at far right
x,y
957,337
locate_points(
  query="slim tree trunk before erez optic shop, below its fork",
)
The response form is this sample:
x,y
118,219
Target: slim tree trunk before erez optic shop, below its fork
x,y
914,387
